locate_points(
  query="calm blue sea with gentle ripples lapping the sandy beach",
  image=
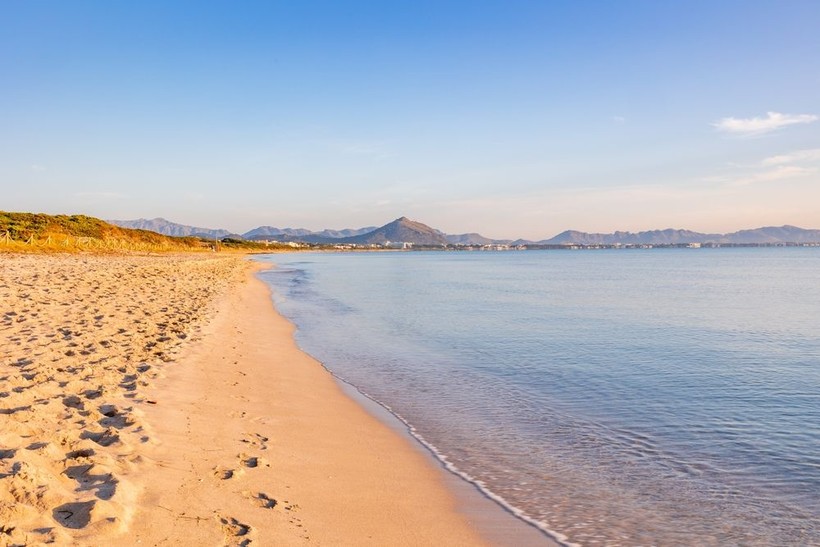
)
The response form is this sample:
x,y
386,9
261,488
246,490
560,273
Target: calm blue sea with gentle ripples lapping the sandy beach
x,y
646,397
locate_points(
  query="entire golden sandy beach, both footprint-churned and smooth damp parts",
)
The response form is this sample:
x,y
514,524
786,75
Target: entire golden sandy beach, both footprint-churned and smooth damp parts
x,y
163,401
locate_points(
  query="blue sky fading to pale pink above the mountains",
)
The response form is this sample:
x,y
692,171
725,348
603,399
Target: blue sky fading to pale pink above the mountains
x,y
520,118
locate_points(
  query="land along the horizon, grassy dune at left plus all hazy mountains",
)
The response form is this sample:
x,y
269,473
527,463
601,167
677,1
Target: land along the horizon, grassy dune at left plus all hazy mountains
x,y
29,232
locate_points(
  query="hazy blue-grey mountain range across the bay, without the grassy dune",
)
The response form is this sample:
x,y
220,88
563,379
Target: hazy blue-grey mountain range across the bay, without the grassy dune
x,y
409,231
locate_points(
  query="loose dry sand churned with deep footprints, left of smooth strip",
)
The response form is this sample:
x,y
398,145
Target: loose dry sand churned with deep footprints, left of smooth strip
x,y
80,338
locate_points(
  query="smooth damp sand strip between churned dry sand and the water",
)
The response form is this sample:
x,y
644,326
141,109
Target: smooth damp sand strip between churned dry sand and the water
x,y
280,455
